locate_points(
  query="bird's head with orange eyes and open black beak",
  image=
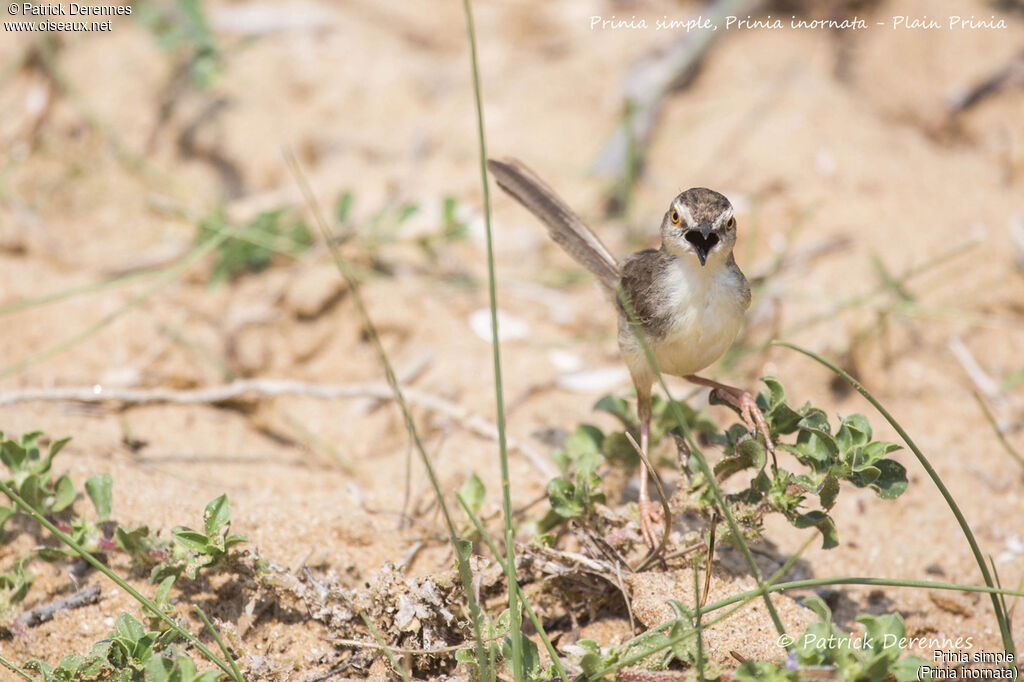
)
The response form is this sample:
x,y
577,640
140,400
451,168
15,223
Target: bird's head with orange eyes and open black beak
x,y
700,225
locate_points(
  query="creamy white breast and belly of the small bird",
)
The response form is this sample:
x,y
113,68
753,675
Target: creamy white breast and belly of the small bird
x,y
709,305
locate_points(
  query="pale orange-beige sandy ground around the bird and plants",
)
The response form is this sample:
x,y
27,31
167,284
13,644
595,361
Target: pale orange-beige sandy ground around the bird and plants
x,y
815,136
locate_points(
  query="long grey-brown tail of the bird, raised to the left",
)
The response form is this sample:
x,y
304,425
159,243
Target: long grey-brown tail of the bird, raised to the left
x,y
565,227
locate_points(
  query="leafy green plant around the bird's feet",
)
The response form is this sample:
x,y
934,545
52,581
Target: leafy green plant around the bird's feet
x,y
848,455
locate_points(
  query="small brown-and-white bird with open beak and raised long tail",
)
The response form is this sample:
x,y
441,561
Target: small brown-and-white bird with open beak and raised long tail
x,y
689,297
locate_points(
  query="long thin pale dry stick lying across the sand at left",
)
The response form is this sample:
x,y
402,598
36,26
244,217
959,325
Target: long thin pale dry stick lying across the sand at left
x,y
263,389
